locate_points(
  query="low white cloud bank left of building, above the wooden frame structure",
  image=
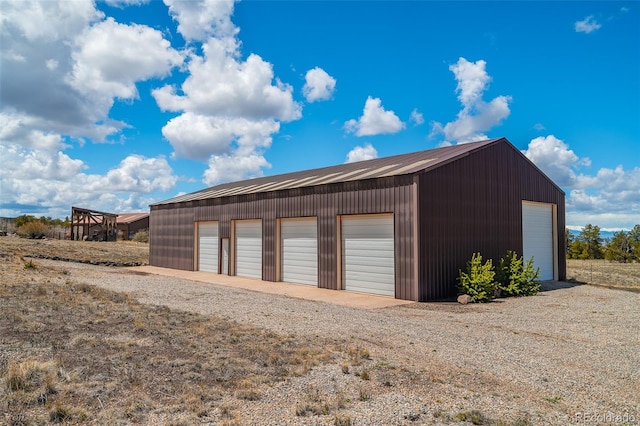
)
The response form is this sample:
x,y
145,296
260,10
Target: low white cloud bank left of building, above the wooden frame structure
x,y
52,180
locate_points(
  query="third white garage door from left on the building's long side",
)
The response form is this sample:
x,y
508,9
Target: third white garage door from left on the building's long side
x,y
299,251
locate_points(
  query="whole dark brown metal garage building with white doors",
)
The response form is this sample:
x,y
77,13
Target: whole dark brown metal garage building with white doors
x,y
400,226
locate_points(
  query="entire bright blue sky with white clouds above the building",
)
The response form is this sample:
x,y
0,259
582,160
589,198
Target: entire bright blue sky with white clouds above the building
x,y
118,104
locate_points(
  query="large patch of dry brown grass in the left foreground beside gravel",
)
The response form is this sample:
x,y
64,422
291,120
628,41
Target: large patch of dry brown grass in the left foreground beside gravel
x,y
71,352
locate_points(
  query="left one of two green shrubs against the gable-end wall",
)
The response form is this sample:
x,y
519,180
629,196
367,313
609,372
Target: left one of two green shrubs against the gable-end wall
x,y
478,280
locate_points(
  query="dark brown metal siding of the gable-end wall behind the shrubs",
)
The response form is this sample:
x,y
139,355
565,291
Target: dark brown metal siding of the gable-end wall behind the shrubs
x,y
472,205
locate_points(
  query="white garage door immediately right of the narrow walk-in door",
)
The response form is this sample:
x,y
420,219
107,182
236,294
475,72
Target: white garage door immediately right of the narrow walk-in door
x,y
249,248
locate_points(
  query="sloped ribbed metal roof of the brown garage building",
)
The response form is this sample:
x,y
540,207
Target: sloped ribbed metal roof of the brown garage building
x,y
369,169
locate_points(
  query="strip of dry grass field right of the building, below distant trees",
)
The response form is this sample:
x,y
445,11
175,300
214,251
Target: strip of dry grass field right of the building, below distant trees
x,y
605,273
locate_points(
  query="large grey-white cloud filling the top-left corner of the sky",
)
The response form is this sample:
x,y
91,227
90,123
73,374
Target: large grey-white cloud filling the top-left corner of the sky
x,y
69,71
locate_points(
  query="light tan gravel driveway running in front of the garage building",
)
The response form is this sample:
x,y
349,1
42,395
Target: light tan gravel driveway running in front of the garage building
x,y
570,355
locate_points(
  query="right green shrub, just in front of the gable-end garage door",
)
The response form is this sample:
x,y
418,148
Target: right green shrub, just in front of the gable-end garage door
x,y
516,277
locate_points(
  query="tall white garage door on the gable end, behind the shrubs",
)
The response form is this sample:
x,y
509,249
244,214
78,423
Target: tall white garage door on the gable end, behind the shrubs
x,y
537,237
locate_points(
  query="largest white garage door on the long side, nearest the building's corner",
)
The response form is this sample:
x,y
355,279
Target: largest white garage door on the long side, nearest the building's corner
x,y
368,254
